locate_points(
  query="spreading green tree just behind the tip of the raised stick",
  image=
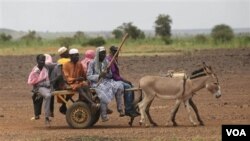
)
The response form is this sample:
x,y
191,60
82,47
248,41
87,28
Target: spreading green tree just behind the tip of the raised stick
x,y
132,30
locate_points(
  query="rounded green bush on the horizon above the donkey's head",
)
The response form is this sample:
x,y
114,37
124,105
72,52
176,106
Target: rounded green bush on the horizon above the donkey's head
x,y
222,33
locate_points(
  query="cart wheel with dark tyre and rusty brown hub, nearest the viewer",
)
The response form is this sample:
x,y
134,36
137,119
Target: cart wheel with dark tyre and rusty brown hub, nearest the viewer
x,y
78,115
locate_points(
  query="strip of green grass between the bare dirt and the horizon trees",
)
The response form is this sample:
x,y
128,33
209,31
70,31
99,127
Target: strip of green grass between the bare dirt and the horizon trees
x,y
148,46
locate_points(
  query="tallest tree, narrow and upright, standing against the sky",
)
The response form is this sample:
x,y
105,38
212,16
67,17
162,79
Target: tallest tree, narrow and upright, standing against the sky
x,y
163,28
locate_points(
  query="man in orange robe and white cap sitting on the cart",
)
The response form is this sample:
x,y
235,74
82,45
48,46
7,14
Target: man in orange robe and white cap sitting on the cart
x,y
76,78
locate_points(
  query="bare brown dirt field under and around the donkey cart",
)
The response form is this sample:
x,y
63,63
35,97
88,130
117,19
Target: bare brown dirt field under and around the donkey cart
x,y
231,66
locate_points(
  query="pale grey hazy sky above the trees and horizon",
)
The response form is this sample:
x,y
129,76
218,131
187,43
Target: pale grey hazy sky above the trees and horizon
x,y
106,15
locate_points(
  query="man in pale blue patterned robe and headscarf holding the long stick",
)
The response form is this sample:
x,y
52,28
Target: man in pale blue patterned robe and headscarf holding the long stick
x,y
101,80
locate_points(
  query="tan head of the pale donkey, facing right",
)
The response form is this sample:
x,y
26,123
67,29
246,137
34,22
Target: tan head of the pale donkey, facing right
x,y
212,83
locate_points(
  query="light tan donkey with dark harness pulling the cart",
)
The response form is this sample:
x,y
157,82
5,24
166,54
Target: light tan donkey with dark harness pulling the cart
x,y
179,89
